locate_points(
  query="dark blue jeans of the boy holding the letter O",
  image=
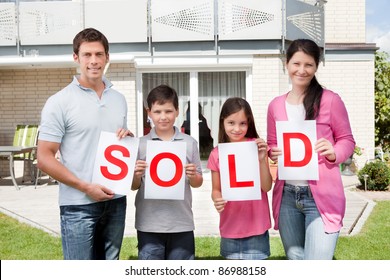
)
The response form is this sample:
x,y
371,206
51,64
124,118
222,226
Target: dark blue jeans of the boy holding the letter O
x,y
166,246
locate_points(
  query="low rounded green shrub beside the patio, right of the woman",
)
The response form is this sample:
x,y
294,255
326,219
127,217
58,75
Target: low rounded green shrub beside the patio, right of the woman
x,y
378,175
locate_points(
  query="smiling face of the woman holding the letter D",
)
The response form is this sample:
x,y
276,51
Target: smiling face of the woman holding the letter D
x,y
301,69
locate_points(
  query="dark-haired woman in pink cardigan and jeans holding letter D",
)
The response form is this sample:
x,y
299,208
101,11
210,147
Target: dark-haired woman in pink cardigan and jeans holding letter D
x,y
309,214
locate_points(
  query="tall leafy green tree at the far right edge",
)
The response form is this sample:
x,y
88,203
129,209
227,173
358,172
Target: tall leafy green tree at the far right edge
x,y
382,100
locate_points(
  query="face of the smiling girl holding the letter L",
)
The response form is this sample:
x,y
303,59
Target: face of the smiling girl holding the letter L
x,y
236,126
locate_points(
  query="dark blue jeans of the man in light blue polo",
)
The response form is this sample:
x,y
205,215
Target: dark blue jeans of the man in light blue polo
x,y
93,231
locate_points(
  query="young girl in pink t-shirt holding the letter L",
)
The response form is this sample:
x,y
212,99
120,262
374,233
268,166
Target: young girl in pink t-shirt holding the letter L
x,y
243,224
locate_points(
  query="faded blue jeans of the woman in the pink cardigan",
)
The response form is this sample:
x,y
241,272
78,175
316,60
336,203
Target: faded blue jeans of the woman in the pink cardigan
x,y
301,228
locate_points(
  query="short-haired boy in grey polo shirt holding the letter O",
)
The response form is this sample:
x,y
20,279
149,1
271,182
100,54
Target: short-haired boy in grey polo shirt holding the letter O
x,y
165,228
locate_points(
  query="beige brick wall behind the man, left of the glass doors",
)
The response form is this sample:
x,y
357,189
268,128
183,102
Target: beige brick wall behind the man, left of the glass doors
x,y
24,92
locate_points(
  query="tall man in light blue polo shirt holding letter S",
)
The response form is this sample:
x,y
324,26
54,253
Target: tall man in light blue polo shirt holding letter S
x,y
92,216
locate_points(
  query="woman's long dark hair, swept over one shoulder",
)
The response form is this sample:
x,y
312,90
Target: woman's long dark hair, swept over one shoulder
x,y
313,93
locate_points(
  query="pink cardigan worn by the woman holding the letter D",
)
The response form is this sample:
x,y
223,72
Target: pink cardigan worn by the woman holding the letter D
x,y
332,124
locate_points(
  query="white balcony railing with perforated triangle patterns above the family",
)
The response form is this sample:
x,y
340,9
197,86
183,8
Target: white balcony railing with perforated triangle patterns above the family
x,y
146,21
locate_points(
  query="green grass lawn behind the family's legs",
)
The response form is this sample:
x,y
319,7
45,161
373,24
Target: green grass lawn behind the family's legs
x,y
21,242
